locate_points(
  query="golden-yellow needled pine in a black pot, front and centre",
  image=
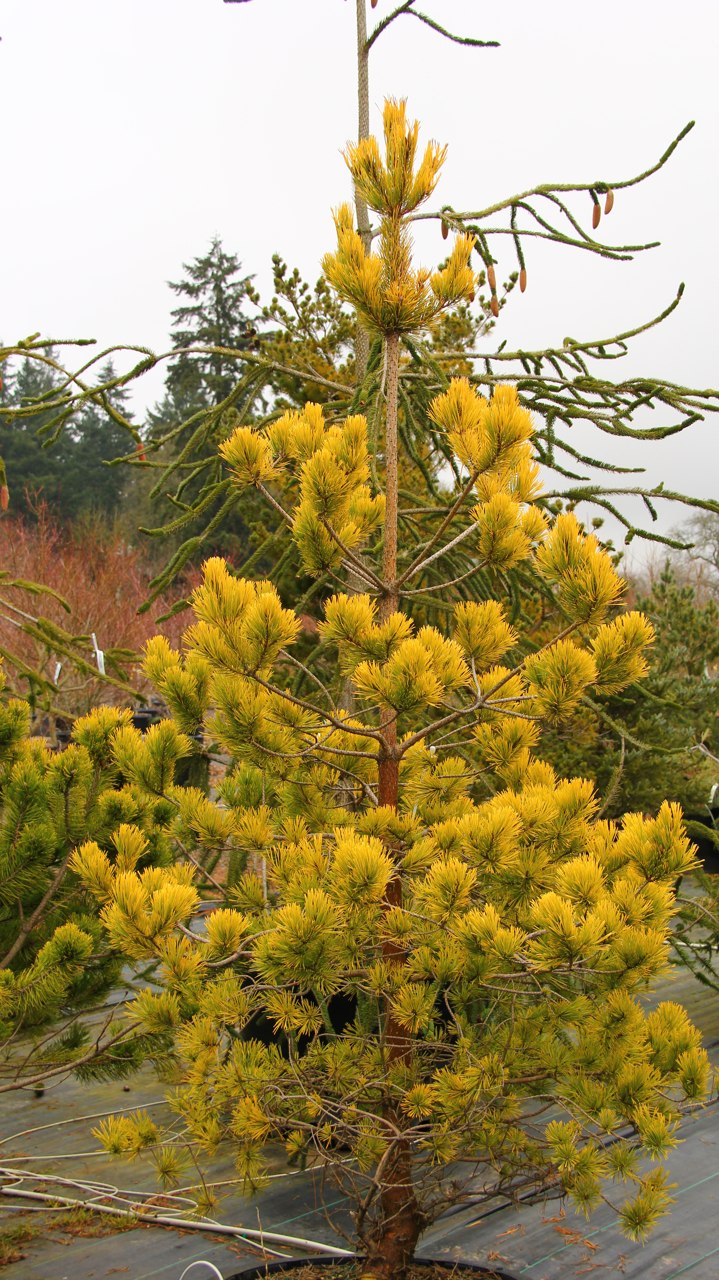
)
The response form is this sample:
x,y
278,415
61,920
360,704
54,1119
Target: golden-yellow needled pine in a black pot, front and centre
x,y
454,980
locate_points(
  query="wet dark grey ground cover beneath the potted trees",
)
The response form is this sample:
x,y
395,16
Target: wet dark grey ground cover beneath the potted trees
x,y
47,1137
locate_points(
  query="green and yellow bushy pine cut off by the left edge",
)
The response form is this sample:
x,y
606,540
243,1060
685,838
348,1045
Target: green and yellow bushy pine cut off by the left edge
x,y
54,958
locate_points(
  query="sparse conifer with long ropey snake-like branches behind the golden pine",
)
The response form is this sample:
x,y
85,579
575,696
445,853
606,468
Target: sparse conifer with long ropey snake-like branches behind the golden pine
x,y
566,386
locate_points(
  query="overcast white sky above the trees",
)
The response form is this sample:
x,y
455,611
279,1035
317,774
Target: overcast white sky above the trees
x,y
138,130
